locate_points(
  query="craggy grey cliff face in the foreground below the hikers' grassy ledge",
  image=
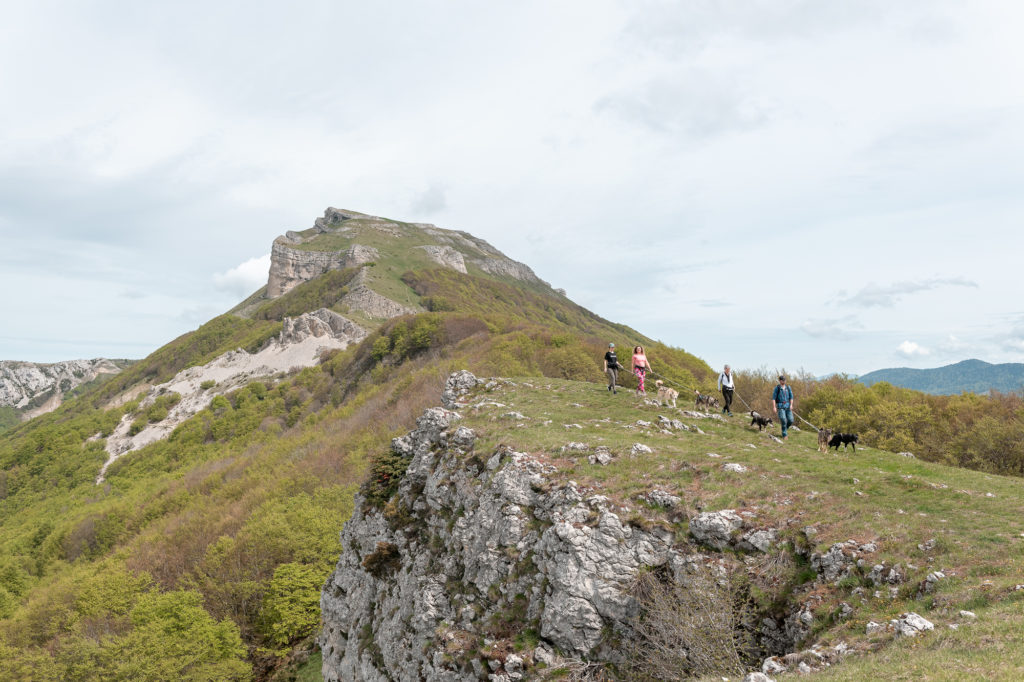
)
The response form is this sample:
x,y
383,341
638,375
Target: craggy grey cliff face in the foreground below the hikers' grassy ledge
x,y
472,539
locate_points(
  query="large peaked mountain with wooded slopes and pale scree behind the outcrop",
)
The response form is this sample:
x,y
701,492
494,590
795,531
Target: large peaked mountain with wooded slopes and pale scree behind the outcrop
x,y
180,520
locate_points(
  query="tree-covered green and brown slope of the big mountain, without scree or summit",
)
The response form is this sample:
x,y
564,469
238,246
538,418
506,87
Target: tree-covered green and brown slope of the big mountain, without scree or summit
x,y
204,553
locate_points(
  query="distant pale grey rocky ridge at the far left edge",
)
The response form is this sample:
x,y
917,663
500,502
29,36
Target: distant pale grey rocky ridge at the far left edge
x,y
28,386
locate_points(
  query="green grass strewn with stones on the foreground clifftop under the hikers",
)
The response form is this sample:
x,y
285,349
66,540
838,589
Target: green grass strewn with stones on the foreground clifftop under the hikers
x,y
977,520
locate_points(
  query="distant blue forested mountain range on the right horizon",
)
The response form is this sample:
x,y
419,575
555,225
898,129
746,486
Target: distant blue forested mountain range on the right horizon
x,y
972,375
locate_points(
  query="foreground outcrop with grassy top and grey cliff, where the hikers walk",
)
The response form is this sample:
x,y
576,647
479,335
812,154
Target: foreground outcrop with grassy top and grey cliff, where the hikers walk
x,y
536,530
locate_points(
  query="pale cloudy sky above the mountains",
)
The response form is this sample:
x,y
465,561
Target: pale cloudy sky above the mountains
x,y
821,187
